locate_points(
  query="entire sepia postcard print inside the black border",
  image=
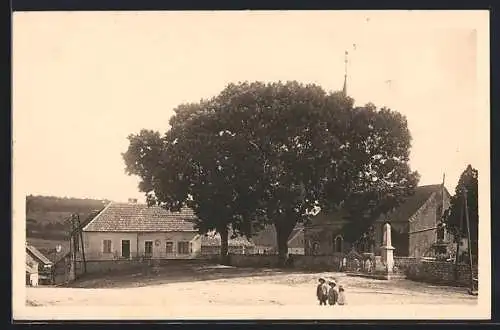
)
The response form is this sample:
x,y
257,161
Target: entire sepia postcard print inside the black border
x,y
316,165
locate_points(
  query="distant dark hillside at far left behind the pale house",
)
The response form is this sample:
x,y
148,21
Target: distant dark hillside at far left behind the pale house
x,y
47,218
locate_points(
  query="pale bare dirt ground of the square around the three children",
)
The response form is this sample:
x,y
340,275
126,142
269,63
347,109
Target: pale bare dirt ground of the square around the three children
x,y
215,286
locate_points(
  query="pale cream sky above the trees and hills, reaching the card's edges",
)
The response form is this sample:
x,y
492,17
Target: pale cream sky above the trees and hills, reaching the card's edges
x,y
84,81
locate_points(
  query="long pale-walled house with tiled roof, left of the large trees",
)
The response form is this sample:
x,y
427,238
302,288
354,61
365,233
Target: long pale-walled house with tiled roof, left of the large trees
x,y
124,231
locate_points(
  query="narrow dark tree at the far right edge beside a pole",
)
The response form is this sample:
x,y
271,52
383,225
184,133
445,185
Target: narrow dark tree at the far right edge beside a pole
x,y
454,217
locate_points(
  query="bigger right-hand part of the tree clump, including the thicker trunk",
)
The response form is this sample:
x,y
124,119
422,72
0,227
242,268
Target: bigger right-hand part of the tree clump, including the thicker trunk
x,y
317,150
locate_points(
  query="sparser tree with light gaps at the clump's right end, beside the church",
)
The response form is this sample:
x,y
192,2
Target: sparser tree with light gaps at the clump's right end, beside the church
x,y
378,148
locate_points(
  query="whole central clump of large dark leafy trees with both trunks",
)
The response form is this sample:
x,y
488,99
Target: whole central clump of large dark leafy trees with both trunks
x,y
272,153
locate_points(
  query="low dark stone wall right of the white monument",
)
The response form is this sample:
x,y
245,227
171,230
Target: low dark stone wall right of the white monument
x,y
441,272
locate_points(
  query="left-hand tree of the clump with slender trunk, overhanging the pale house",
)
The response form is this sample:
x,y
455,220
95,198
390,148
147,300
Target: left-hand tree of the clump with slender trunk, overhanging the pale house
x,y
198,163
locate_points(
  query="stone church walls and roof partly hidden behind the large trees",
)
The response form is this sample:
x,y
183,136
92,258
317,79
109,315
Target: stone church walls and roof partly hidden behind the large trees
x,y
414,227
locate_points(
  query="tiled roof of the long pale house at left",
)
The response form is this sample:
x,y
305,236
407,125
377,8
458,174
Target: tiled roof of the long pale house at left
x,y
123,217
